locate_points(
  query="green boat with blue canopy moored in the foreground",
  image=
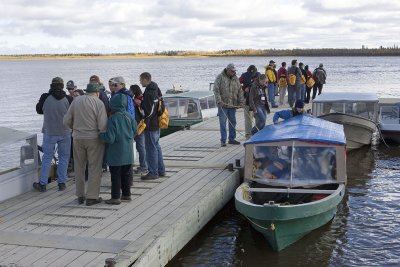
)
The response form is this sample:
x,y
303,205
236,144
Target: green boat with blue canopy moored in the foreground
x,y
295,176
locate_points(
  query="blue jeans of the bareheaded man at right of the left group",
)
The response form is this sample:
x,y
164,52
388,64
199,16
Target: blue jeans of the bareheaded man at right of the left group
x,y
154,157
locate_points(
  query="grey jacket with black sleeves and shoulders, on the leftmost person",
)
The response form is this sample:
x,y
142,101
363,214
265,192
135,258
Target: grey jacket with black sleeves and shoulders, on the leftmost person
x,y
54,105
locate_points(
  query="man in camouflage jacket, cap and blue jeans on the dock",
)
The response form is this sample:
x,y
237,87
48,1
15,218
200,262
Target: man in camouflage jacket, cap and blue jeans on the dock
x,y
229,97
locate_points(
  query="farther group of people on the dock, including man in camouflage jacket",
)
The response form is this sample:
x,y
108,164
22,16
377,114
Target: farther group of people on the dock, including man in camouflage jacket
x,y
255,92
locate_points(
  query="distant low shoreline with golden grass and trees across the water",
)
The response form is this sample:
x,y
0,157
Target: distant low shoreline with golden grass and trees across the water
x,y
322,52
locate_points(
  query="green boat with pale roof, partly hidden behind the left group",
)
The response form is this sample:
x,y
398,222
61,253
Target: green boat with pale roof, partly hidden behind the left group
x,y
186,109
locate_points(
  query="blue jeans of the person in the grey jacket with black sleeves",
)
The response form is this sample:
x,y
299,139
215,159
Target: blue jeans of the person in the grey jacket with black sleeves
x,y
64,149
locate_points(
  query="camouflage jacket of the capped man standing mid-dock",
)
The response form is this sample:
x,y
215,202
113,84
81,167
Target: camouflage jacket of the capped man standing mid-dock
x,y
227,90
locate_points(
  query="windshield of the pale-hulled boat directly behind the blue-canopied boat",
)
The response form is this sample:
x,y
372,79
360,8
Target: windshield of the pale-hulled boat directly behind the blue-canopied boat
x,y
363,109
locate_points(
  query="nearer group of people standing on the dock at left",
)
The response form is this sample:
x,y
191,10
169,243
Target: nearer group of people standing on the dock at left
x,y
103,131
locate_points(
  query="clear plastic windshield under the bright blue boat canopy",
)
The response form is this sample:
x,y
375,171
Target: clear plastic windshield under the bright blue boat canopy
x,y
294,165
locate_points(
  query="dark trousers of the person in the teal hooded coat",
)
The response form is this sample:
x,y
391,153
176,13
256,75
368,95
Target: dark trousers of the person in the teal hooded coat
x,y
120,181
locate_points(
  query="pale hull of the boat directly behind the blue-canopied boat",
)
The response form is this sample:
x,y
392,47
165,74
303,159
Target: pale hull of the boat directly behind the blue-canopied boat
x,y
358,130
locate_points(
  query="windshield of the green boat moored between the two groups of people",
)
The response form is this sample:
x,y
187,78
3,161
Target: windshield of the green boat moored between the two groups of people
x,y
180,108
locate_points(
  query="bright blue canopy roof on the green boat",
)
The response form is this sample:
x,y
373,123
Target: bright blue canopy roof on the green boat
x,y
303,128
